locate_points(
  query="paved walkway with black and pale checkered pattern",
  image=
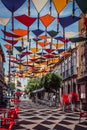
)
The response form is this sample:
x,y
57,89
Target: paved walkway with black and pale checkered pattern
x,y
38,117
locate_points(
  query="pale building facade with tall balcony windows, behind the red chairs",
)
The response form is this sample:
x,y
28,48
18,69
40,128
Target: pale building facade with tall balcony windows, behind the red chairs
x,y
67,68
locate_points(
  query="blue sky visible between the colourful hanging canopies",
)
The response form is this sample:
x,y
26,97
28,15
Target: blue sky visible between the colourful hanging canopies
x,y
5,13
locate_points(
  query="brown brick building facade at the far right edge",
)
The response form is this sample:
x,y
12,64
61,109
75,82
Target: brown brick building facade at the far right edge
x,y
82,70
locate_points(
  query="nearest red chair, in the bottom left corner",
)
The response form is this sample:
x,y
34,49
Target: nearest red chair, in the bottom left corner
x,y
8,122
